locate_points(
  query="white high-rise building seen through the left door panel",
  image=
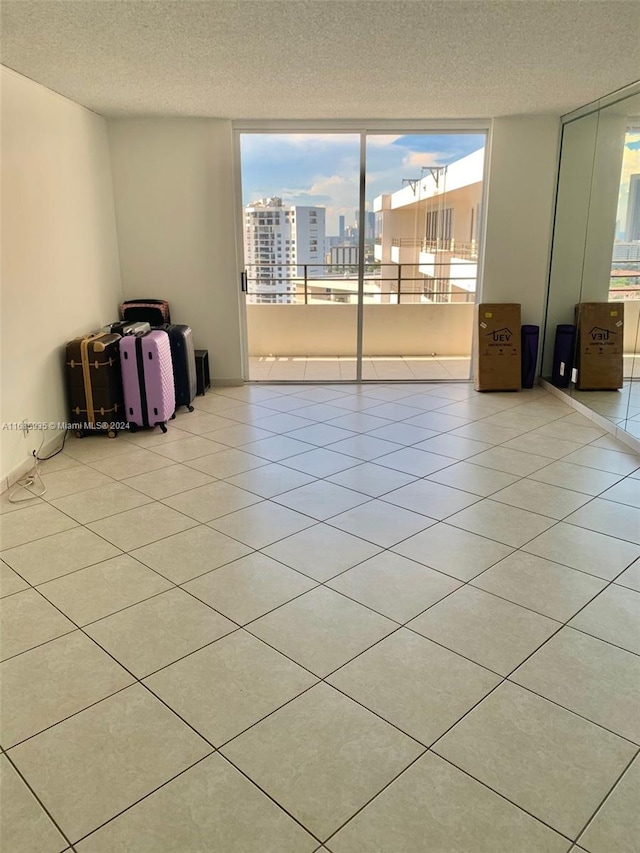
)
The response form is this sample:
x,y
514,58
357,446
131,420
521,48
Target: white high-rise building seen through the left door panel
x,y
280,242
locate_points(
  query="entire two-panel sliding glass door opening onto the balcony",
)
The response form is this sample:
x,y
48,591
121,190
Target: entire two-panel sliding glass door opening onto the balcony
x,y
360,253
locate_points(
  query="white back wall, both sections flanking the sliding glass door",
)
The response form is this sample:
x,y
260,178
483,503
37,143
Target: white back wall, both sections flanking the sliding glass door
x,y
175,208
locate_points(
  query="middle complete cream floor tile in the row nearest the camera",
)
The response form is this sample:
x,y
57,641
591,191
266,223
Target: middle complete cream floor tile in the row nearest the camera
x,y
324,780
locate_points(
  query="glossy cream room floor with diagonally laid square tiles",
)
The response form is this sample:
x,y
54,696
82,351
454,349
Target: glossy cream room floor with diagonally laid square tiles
x,y
377,619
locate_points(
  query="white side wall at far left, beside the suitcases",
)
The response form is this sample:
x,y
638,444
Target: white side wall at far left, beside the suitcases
x,y
60,273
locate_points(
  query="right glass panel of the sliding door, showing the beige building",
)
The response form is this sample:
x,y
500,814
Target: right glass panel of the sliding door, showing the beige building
x,y
423,200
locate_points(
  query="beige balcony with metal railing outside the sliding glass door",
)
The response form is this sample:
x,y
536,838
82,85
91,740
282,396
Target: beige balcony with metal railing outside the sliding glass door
x,y
305,326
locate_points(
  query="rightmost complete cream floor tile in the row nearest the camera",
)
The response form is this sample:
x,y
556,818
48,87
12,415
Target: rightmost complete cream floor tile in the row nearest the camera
x,y
545,759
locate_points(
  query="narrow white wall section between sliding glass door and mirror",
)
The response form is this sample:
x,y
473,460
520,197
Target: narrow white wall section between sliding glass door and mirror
x,y
521,190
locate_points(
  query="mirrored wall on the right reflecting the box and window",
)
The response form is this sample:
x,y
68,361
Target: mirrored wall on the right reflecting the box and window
x,y
596,255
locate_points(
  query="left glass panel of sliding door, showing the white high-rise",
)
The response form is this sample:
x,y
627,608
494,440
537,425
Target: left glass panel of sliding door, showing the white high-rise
x,y
300,196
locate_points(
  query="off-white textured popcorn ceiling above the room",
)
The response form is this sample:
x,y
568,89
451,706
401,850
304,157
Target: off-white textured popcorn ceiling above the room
x,y
324,58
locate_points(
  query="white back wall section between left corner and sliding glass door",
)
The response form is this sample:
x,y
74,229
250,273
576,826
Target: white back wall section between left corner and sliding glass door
x,y
174,197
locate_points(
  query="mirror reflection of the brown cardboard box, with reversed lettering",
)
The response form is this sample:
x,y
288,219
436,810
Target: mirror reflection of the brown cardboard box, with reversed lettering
x,y
600,327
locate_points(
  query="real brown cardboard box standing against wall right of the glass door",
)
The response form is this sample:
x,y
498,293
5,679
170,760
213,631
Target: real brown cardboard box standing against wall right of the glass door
x,y
497,356
